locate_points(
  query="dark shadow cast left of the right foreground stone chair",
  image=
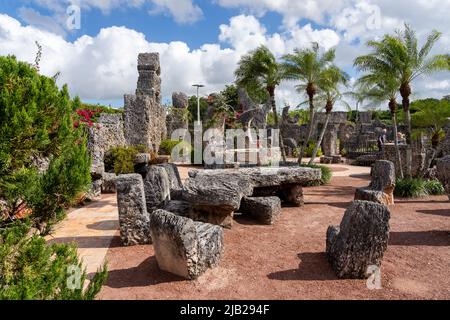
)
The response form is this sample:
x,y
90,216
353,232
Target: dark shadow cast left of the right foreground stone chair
x,y
313,267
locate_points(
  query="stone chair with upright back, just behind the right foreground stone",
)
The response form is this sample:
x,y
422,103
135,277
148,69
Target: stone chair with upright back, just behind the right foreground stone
x,y
381,188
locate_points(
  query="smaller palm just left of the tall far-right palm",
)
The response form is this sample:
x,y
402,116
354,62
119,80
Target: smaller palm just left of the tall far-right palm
x,y
381,88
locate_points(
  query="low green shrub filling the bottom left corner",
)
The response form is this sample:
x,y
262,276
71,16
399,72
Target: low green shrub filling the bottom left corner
x,y
30,269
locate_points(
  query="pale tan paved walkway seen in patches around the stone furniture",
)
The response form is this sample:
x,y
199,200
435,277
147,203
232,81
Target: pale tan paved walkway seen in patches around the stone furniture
x,y
93,227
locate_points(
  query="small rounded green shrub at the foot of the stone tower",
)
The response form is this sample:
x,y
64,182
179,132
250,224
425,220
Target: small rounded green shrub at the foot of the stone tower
x,y
121,159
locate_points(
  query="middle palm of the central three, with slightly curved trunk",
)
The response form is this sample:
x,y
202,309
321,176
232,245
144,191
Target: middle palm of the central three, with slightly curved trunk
x,y
306,65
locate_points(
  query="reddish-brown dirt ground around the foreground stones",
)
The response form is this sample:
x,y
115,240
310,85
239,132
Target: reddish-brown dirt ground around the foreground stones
x,y
287,260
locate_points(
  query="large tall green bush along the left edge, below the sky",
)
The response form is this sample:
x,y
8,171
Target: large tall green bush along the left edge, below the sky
x,y
44,162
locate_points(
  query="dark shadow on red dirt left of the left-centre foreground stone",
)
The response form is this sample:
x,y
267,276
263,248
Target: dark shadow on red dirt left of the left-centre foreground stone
x,y
145,274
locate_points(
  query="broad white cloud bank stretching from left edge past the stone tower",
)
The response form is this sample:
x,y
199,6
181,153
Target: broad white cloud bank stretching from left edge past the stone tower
x,y
104,67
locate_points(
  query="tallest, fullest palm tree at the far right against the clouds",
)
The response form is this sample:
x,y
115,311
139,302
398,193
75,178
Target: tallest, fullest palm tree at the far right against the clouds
x,y
399,56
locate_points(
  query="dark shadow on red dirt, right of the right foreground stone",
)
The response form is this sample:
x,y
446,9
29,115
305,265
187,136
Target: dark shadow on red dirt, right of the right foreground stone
x,y
435,238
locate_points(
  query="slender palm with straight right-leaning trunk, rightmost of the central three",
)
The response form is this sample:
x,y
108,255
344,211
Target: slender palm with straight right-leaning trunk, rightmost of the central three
x,y
329,81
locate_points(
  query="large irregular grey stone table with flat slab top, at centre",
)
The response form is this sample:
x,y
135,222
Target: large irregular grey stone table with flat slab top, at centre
x,y
218,193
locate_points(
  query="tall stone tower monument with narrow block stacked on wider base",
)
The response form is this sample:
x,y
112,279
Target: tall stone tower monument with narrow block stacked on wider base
x,y
145,118
